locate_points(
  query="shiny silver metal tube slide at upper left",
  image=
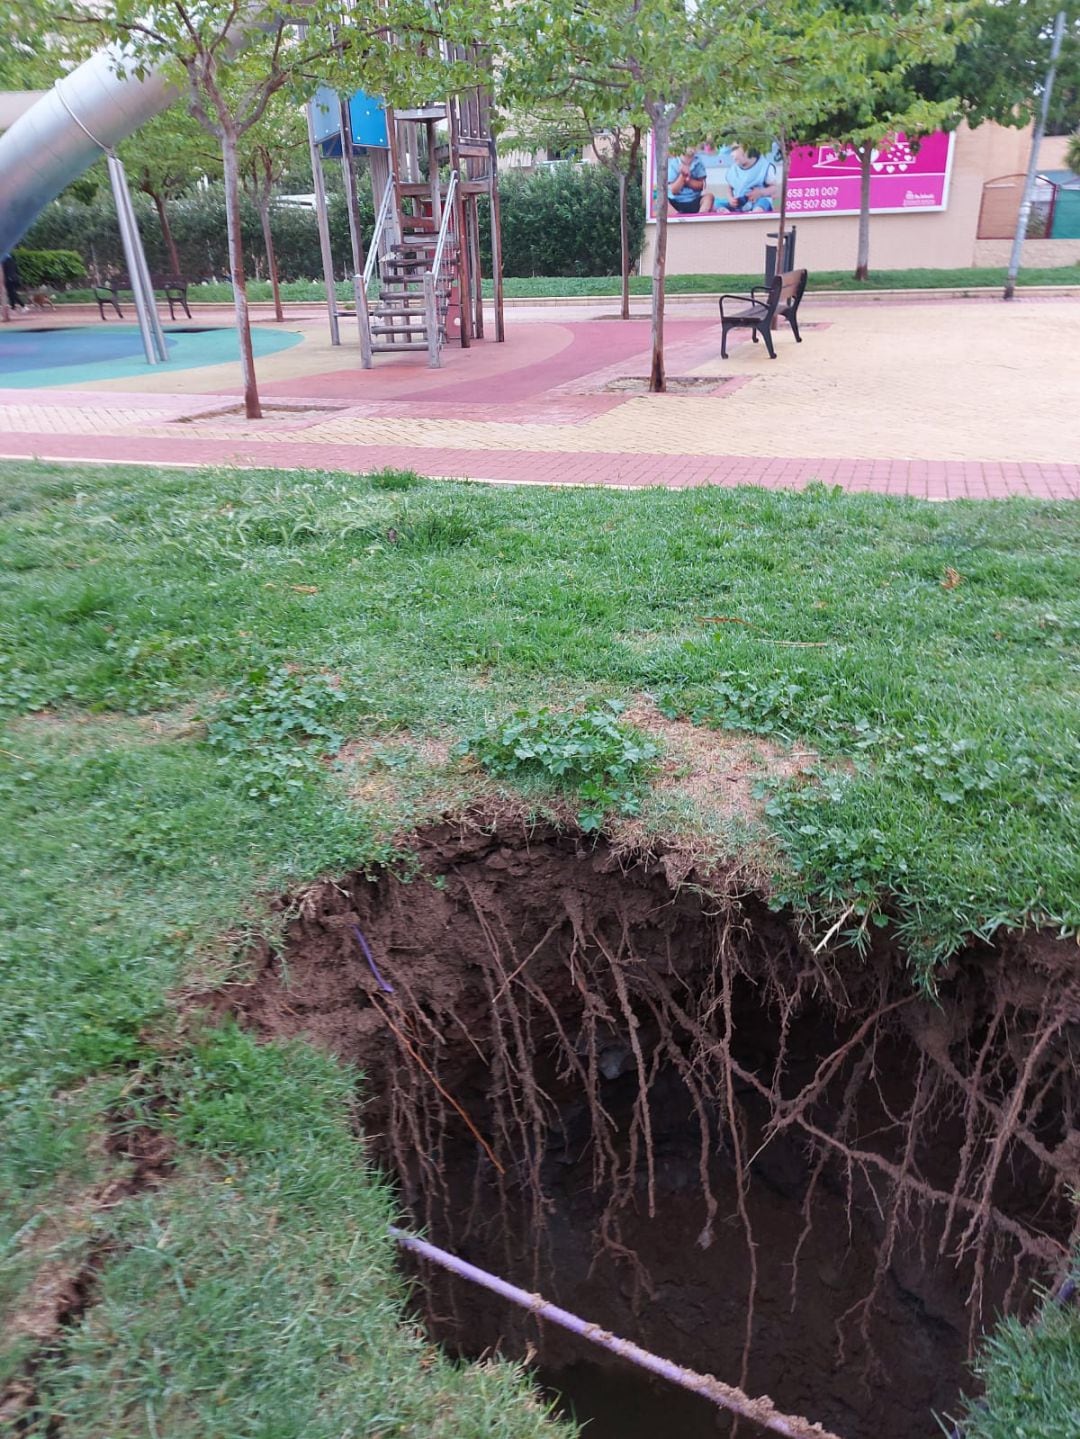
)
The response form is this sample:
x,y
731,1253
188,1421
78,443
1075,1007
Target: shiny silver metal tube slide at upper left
x,y
93,109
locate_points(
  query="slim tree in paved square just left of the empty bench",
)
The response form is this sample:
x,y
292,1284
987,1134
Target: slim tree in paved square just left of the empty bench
x,y
641,58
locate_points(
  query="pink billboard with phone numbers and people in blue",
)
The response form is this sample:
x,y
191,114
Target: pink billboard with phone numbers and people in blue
x,y
728,182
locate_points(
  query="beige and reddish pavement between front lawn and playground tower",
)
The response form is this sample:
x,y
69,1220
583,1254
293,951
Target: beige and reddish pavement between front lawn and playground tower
x,y
948,401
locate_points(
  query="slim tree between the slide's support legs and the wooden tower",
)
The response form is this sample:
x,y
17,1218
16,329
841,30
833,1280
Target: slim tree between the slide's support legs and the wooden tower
x,y
229,61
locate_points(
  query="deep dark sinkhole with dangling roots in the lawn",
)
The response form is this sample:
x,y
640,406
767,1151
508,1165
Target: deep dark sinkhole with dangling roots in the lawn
x,y
623,1084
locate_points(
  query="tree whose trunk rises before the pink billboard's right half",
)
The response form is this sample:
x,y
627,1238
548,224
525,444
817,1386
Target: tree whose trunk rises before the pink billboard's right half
x,y
888,54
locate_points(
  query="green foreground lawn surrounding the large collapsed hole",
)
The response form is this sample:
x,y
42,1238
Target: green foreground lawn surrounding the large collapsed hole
x,y
179,653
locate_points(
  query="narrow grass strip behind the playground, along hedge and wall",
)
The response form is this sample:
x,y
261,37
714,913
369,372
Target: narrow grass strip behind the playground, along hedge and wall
x,y
546,287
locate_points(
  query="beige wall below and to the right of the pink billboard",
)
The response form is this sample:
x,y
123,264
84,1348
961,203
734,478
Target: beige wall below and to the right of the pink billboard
x,y
930,241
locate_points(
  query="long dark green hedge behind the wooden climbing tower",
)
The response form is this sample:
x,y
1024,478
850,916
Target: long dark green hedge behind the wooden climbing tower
x,y
559,221
